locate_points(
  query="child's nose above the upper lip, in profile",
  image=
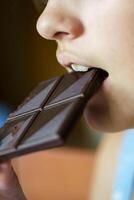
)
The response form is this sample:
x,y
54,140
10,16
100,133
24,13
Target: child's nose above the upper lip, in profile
x,y
57,24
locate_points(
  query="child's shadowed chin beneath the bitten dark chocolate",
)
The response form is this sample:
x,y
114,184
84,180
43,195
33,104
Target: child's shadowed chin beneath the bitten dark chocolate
x,y
101,115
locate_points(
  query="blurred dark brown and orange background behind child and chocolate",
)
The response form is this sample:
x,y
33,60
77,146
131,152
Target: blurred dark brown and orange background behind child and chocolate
x,y
27,59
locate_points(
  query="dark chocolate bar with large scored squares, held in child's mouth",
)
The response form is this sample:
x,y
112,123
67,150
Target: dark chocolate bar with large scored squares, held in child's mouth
x,y
45,118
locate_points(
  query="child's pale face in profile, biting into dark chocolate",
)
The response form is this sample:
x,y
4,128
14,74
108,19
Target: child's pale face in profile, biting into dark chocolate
x,y
97,33
